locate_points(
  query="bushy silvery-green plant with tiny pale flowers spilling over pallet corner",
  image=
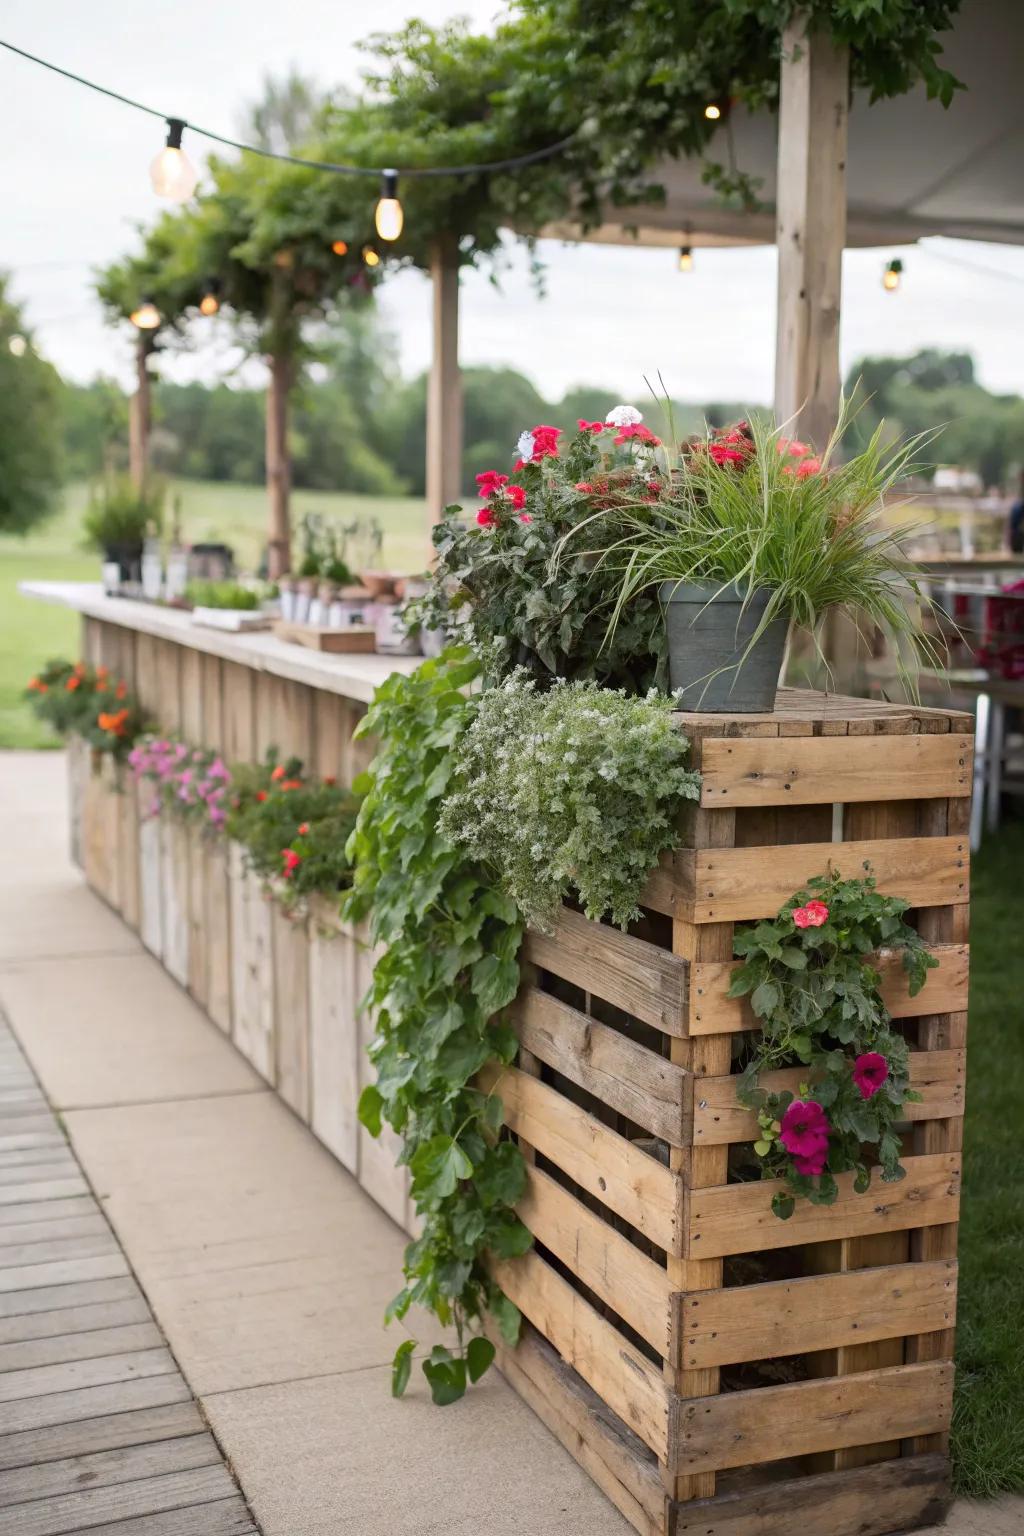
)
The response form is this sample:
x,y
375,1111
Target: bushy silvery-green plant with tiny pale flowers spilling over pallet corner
x,y
570,790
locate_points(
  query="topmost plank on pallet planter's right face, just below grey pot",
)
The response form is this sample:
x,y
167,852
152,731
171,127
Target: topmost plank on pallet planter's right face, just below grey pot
x,y
819,770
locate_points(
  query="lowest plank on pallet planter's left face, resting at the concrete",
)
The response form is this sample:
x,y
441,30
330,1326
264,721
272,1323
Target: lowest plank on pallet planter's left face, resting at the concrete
x,y
618,1460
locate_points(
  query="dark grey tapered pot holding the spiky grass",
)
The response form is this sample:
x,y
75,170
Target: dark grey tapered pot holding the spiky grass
x,y
709,635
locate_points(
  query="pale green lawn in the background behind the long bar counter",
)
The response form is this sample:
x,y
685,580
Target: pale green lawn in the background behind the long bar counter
x,y
31,632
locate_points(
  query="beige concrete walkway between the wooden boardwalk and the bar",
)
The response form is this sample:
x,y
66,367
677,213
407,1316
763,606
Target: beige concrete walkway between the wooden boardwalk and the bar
x,y
268,1270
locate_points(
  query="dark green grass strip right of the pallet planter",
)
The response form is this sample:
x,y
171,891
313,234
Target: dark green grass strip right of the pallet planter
x,y
989,1409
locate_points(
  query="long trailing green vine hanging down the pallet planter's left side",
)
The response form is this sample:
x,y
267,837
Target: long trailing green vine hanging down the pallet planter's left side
x,y
448,972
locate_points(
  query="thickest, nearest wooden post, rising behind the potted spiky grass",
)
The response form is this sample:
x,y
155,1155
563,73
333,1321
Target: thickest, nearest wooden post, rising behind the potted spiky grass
x,y
811,230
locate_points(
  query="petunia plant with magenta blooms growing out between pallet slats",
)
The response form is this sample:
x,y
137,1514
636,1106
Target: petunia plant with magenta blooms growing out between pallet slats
x,y
813,985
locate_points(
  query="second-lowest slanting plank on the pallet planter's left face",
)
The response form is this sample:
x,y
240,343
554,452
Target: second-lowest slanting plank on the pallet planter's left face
x,y
629,1383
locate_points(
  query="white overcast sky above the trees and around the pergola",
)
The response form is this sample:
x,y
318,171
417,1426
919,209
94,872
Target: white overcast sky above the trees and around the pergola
x,y
76,185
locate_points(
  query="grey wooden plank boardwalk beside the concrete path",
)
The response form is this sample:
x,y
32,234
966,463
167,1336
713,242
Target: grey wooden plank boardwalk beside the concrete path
x,y
99,1431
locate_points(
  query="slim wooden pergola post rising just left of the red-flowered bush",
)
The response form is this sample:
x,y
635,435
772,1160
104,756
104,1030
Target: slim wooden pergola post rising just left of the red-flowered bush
x,y
444,391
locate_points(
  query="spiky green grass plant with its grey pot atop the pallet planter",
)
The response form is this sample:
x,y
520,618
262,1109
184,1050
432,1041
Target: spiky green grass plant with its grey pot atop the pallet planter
x,y
755,535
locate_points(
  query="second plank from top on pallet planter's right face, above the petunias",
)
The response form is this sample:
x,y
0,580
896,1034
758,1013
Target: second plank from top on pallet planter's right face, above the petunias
x,y
739,884
